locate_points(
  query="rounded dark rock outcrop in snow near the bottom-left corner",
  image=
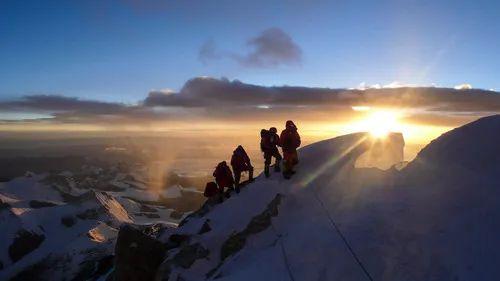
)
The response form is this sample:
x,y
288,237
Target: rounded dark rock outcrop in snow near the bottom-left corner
x,y
24,243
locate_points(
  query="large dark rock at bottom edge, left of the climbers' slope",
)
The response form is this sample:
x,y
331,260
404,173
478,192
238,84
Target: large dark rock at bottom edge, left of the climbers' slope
x,y
137,255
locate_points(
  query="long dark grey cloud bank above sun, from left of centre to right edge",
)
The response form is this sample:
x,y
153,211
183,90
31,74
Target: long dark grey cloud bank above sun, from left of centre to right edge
x,y
220,93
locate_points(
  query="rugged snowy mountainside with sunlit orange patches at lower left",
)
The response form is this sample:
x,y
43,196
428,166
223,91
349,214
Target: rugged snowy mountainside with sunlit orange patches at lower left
x,y
64,226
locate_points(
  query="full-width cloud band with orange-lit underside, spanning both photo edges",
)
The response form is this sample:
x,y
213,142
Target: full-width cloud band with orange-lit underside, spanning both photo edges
x,y
205,98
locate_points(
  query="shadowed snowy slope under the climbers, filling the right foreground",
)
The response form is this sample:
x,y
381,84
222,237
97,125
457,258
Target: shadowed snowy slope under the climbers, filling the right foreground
x,y
437,219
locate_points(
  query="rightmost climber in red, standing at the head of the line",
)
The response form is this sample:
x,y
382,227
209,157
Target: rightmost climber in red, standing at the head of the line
x,y
289,142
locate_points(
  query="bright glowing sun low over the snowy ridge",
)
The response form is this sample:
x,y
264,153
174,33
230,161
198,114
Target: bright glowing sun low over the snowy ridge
x,y
379,123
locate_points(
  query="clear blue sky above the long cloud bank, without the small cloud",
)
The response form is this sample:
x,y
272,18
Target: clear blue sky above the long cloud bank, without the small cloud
x,y
120,50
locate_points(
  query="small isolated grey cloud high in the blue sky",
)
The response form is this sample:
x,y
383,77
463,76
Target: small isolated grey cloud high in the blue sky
x,y
271,48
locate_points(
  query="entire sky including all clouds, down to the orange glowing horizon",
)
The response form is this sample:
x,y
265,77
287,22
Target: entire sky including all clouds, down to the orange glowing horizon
x,y
134,64
